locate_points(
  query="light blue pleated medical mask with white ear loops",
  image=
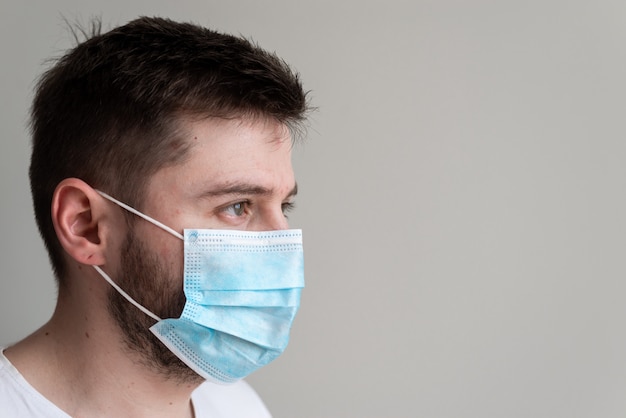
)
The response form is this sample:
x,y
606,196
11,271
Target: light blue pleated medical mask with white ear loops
x,y
243,292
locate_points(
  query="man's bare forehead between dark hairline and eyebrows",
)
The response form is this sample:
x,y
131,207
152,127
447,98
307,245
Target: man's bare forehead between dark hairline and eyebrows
x,y
254,151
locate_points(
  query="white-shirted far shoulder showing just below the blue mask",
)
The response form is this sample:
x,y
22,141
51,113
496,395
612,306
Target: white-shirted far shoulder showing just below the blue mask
x,y
236,400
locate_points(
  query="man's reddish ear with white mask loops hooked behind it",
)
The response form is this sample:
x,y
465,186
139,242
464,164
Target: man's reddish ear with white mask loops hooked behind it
x,y
78,216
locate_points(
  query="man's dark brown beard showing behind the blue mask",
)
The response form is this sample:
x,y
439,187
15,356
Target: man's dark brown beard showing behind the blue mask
x,y
150,283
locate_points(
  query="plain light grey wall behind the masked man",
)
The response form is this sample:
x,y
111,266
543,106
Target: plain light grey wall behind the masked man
x,y
462,197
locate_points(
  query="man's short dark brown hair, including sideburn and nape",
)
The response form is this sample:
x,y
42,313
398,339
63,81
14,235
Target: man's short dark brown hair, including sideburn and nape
x,y
109,111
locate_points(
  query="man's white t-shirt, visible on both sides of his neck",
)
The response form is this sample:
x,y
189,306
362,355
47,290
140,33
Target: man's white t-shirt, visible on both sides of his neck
x,y
19,399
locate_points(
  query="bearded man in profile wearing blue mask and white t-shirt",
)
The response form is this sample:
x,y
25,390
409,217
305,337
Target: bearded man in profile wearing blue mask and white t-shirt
x,y
161,175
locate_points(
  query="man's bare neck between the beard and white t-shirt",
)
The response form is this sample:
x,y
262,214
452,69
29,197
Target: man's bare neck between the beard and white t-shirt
x,y
79,361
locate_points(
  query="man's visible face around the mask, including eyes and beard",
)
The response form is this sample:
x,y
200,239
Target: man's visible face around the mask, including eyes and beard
x,y
237,175
